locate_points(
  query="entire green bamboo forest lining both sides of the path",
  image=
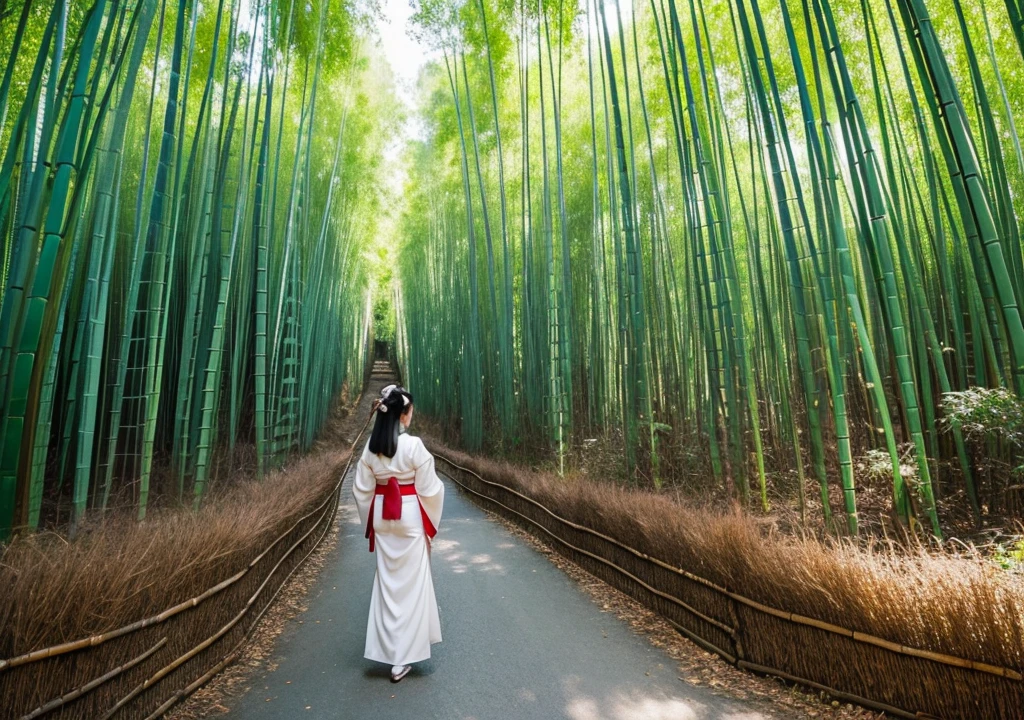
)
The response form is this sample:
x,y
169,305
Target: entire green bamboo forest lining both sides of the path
x,y
765,244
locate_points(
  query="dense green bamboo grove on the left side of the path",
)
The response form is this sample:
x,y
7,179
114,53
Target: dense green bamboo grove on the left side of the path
x,y
187,192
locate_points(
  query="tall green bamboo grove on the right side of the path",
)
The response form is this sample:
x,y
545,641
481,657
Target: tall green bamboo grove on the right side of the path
x,y
784,230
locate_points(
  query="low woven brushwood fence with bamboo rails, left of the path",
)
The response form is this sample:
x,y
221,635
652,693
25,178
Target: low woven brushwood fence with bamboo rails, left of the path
x,y
154,663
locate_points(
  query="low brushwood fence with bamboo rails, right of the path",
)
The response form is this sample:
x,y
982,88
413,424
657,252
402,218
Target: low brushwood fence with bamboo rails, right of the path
x,y
849,665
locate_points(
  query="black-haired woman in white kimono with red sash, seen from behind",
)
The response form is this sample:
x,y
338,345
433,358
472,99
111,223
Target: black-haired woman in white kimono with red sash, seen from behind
x,y
400,498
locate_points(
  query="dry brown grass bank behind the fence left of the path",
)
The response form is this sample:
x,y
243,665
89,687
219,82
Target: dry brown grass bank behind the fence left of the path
x,y
119,572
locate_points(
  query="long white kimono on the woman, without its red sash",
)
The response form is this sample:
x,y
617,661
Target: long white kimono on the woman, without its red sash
x,y
404,621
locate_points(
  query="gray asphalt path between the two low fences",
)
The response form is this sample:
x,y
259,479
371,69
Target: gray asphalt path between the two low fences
x,y
521,642
